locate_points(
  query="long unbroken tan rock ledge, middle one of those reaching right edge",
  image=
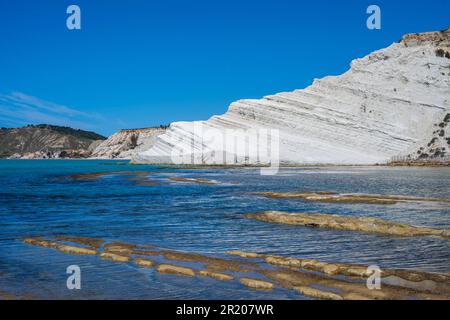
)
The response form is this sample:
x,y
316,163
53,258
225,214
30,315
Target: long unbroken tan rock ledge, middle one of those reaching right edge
x,y
363,224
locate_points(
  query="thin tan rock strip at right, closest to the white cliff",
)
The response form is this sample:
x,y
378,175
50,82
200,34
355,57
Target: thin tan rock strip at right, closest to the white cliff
x,y
332,197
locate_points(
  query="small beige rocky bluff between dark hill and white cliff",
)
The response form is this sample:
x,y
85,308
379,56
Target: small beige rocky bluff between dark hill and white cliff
x,y
125,143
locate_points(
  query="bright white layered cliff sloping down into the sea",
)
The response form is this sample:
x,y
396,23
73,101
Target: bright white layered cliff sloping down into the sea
x,y
386,105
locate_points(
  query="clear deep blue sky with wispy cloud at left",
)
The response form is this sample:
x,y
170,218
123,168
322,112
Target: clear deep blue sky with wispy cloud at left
x,y
140,63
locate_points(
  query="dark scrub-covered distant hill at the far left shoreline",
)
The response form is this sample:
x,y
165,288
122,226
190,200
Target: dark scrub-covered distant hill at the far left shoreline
x,y
46,142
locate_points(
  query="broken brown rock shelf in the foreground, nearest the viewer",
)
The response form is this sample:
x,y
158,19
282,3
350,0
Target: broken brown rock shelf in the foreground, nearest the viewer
x,y
335,281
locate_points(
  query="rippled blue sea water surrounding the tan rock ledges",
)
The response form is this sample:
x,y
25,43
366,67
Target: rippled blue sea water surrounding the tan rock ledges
x,y
38,198
